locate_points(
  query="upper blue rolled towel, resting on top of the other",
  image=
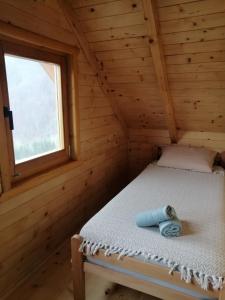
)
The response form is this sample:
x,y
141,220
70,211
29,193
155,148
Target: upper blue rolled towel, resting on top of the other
x,y
156,216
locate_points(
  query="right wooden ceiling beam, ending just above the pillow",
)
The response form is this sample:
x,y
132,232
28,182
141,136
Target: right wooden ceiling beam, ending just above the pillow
x,y
151,17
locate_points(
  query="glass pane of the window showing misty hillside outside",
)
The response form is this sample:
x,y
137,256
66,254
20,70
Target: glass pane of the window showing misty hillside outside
x,y
35,99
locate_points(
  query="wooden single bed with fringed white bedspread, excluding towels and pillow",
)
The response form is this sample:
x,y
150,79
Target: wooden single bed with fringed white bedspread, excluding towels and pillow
x,y
191,266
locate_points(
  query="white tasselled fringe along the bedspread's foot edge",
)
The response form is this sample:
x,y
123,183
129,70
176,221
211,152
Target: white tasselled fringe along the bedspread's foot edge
x,y
187,274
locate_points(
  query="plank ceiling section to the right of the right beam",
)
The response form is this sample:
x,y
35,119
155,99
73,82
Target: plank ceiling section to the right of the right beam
x,y
193,38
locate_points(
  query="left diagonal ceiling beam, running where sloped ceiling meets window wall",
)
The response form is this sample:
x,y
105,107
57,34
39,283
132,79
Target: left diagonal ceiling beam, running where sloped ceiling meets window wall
x,y
83,43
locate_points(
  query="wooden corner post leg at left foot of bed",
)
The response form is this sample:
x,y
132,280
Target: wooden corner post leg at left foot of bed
x,y
77,269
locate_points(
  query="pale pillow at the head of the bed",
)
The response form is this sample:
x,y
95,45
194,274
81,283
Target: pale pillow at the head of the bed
x,y
188,158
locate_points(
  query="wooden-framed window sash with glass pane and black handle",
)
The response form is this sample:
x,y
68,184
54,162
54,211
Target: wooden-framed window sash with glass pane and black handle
x,y
34,89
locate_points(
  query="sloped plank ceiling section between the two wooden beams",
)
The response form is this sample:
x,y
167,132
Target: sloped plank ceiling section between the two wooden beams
x,y
117,34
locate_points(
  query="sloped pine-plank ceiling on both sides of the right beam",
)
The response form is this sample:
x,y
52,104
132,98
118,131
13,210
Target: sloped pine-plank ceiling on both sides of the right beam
x,y
193,38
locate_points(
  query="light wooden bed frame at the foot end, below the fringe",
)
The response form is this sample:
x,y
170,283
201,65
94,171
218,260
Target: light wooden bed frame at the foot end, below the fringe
x,y
80,266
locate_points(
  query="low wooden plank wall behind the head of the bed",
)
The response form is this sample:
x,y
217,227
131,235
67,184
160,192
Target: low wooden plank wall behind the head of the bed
x,y
143,142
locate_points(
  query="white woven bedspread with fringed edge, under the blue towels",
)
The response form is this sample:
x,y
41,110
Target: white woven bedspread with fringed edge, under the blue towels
x,y
199,199
